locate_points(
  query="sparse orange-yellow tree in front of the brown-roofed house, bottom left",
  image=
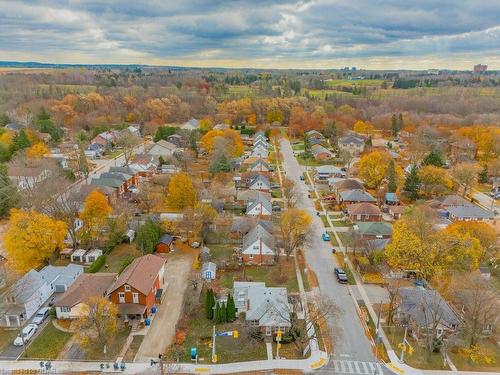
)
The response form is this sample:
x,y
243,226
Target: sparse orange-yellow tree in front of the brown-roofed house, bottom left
x,y
98,324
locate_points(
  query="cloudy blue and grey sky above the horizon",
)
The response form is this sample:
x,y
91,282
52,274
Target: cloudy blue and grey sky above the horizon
x,y
323,34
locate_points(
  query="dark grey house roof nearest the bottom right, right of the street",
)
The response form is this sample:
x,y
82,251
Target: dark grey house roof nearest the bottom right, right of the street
x,y
425,306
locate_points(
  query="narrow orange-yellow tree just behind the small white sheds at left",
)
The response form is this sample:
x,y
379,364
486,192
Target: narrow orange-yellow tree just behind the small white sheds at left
x,y
96,210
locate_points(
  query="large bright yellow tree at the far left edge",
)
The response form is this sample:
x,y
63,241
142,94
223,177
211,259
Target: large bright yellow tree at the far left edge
x,y
31,238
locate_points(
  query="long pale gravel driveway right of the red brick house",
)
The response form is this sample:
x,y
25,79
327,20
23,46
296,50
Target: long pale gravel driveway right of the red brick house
x,y
162,331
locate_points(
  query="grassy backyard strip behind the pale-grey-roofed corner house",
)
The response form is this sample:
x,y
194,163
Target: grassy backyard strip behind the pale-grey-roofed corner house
x,y
268,274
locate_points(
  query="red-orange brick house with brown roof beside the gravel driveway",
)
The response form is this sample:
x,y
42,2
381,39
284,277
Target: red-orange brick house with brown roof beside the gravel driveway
x,y
139,286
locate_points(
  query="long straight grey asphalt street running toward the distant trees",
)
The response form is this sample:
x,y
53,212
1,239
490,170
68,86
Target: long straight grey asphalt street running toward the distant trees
x,y
349,340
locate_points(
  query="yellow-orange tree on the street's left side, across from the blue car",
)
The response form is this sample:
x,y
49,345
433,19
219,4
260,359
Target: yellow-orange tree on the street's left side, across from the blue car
x,y
294,228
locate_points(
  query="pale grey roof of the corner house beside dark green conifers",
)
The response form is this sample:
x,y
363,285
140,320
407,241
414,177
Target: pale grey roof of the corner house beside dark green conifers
x,y
269,306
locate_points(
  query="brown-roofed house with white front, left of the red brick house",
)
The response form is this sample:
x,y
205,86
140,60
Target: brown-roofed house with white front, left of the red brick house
x,y
72,304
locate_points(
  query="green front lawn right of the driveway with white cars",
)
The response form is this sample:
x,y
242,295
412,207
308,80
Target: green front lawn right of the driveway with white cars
x,y
48,344
